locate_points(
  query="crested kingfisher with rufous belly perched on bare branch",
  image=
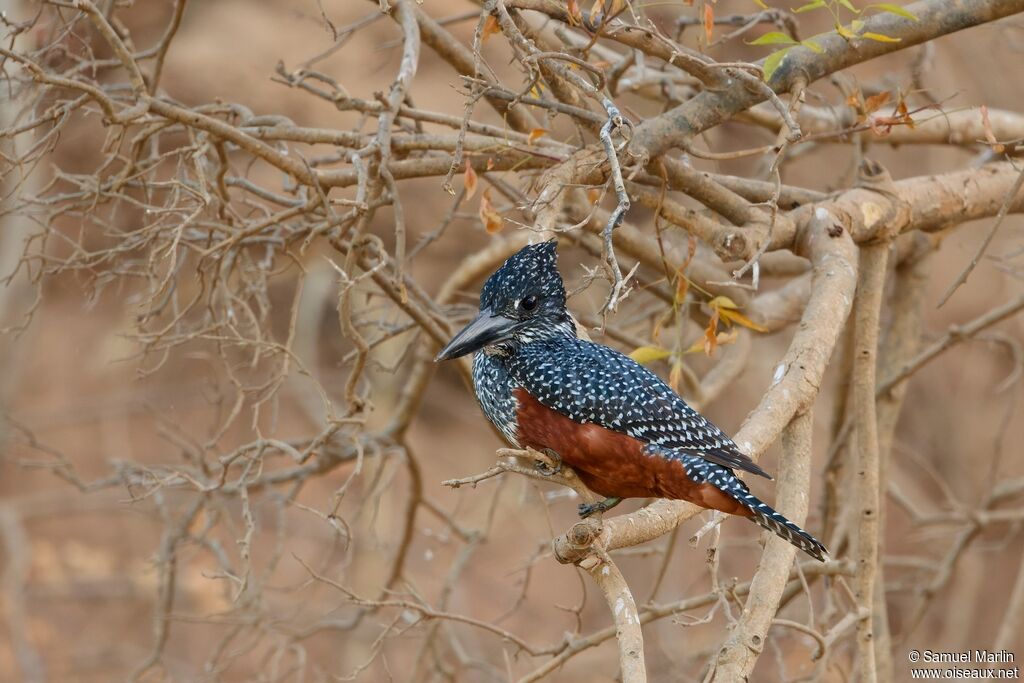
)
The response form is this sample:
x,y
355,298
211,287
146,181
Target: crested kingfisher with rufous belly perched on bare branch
x,y
622,430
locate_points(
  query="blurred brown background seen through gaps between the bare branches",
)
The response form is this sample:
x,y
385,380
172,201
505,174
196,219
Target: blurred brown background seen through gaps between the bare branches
x,y
79,582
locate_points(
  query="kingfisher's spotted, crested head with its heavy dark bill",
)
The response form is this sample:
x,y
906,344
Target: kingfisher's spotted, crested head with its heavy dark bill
x,y
523,302
